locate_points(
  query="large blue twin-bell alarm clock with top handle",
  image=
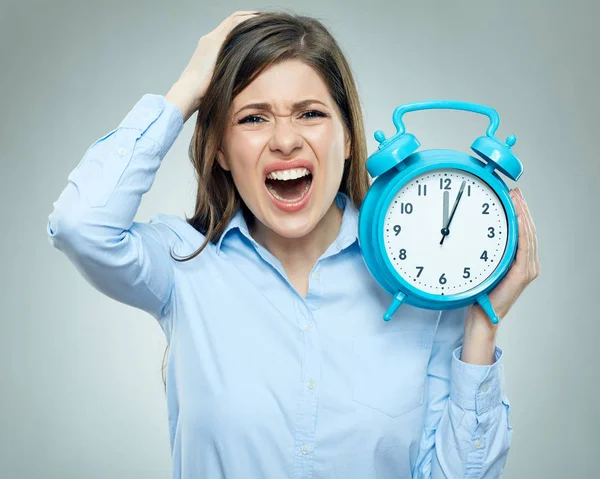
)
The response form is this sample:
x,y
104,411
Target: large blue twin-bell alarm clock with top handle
x,y
437,228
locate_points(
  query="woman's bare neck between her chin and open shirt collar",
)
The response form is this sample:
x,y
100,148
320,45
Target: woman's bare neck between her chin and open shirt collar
x,y
297,254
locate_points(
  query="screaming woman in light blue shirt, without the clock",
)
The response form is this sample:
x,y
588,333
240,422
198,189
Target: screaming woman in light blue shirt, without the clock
x,y
279,364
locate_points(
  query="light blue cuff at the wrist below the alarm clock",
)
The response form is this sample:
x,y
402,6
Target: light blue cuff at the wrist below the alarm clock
x,y
477,387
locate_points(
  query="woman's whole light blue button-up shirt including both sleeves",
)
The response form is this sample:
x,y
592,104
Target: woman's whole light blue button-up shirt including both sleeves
x,y
261,382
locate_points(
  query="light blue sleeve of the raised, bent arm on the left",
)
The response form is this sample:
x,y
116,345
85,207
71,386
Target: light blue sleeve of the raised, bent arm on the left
x,y
92,221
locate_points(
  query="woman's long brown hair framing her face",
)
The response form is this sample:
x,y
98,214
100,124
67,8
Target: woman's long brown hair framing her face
x,y
253,45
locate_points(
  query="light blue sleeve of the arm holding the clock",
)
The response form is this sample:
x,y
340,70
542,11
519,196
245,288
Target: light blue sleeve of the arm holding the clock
x,y
467,431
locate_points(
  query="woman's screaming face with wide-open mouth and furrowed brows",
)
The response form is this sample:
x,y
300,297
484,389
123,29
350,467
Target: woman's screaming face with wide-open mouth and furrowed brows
x,y
296,137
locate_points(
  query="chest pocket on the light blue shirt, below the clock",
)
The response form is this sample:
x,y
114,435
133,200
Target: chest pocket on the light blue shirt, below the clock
x,y
389,370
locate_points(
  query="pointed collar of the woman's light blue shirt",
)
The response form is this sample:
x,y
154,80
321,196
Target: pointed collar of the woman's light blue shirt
x,y
347,235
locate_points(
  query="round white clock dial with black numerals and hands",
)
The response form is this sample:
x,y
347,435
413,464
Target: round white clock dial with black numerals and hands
x,y
473,243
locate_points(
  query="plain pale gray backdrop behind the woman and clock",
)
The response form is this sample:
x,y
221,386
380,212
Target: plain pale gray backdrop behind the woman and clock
x,y
81,374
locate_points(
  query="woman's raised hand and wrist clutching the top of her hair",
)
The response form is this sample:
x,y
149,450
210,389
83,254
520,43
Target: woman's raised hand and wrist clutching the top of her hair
x,y
187,92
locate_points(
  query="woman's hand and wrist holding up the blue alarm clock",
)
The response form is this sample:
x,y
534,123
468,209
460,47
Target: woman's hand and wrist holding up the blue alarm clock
x,y
523,271
